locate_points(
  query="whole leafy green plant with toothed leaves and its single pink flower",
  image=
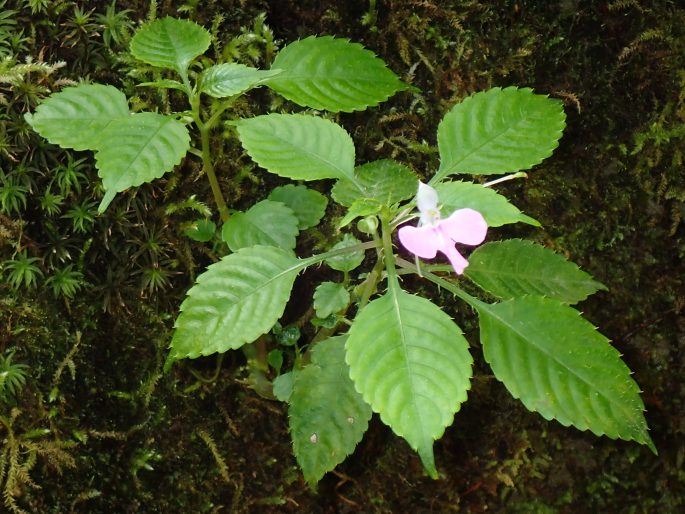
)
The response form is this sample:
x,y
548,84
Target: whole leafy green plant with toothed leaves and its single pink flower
x,y
370,346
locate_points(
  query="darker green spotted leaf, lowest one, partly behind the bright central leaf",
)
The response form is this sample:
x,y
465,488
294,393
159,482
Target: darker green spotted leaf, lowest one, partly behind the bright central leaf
x,y
327,416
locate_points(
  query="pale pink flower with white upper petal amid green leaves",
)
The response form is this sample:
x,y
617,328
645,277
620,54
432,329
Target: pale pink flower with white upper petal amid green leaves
x,y
433,235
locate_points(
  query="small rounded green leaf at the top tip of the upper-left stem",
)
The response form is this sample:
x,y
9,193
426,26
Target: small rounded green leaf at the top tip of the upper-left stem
x,y
170,43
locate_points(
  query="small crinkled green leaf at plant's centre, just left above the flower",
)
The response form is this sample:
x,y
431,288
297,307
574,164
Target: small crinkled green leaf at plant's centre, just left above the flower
x,y
386,181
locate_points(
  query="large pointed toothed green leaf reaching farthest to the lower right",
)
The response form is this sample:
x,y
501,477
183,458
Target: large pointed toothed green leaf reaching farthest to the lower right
x,y
557,364
